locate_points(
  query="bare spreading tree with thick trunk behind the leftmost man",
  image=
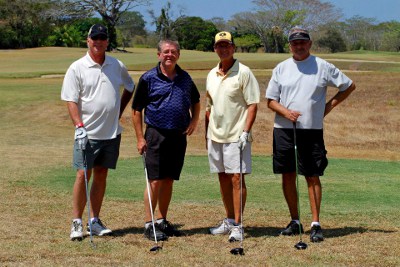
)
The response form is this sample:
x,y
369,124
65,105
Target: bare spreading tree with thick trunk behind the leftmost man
x,y
110,11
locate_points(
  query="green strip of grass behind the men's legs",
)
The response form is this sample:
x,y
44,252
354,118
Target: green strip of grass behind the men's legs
x,y
350,186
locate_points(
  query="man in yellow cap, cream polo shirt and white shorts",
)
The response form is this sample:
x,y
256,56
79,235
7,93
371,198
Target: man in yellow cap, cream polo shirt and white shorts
x,y
232,97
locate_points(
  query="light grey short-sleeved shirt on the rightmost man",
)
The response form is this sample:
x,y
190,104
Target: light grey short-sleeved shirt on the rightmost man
x,y
302,86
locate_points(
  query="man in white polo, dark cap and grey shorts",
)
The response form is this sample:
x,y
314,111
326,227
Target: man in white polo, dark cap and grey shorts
x,y
91,89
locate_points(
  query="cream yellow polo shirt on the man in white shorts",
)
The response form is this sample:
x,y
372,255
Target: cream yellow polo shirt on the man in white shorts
x,y
227,100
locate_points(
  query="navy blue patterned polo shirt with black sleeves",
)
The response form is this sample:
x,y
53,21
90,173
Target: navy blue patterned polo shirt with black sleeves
x,y
166,102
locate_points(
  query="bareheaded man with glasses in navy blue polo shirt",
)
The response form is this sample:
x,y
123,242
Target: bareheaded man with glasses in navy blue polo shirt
x,y
171,104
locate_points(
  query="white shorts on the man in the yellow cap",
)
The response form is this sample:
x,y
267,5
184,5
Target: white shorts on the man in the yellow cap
x,y
225,157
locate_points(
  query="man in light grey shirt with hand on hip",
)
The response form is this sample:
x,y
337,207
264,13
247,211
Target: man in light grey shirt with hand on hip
x,y
297,93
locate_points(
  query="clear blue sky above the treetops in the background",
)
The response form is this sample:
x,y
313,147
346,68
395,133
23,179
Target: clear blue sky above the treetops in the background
x,y
381,10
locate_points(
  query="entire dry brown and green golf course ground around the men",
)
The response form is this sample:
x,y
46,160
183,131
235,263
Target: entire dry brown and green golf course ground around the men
x,y
359,211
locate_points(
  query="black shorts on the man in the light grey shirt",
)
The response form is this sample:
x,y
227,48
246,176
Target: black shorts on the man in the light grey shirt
x,y
311,153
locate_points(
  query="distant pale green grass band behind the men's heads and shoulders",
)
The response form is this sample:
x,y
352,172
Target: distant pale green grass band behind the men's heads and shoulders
x,y
29,63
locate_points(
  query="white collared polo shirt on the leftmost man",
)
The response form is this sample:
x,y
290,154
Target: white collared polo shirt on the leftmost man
x,y
96,90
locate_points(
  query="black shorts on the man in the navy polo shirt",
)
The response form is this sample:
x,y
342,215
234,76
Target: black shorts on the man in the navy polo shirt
x,y
165,153
